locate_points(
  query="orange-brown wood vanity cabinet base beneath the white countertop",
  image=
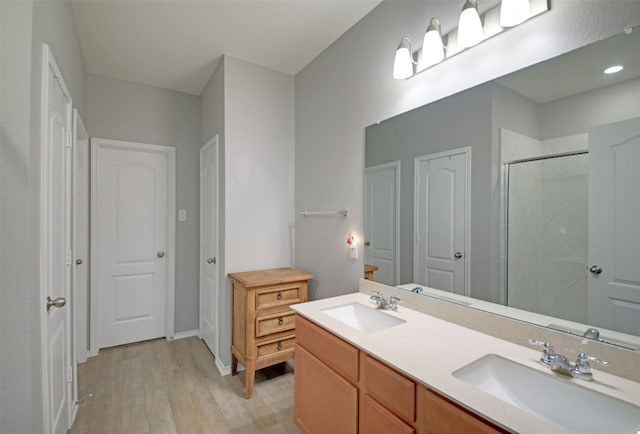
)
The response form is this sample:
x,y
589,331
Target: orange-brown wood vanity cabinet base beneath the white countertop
x,y
340,389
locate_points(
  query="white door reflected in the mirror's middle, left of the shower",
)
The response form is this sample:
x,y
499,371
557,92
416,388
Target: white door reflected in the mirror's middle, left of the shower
x,y
441,221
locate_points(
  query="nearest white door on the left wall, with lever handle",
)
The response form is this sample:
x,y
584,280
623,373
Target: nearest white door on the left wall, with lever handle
x,y
55,247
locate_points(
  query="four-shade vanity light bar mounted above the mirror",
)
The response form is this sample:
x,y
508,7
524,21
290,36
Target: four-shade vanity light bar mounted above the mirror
x,y
472,29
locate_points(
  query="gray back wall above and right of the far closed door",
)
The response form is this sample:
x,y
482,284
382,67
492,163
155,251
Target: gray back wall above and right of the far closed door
x,y
122,110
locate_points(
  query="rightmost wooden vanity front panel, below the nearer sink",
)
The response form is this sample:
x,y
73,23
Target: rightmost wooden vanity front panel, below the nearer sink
x,y
436,415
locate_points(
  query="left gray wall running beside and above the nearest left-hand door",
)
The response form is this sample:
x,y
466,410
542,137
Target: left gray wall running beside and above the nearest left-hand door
x,y
25,25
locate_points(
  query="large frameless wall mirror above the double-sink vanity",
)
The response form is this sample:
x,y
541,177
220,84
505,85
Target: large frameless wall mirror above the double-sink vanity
x,y
520,196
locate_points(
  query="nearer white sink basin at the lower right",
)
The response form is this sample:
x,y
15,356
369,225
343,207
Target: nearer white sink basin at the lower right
x,y
578,409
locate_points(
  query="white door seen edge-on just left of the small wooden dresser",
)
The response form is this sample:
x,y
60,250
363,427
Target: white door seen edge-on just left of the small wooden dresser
x,y
209,244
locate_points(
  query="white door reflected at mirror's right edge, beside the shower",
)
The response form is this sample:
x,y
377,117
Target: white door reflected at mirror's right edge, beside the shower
x,y
614,228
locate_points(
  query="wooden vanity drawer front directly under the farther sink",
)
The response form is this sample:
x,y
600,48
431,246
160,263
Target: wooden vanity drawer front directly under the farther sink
x,y
336,353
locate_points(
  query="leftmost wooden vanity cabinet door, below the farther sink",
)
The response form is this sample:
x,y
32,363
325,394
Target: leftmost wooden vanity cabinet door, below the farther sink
x,y
324,401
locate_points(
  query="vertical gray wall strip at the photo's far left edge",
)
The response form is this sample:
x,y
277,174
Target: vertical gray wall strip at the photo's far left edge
x,y
19,397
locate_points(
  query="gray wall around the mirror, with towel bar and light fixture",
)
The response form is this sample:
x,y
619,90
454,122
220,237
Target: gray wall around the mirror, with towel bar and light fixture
x,y
350,86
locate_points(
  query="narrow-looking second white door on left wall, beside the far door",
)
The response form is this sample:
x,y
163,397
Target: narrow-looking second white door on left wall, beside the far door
x,y
81,205
